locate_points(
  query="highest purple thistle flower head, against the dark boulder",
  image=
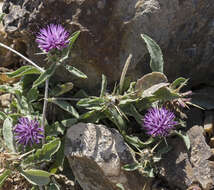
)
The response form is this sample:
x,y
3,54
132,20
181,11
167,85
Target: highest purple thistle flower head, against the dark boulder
x,y
54,36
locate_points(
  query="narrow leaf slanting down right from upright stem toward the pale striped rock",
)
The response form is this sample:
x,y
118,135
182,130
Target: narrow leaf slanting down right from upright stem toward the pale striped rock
x,y
65,106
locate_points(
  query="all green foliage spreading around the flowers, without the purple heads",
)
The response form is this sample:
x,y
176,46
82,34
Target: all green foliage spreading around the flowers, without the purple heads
x,y
123,108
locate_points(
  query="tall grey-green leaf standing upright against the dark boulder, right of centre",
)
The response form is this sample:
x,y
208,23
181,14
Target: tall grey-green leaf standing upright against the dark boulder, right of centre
x,y
156,62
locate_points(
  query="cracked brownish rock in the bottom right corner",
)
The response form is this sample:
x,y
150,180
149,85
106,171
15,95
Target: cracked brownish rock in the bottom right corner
x,y
183,168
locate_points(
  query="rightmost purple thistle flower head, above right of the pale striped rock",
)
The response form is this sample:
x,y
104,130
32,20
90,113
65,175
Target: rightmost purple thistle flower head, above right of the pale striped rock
x,y
159,121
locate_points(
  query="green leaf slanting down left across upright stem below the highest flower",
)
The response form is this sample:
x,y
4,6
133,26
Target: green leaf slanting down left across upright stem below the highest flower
x,y
44,76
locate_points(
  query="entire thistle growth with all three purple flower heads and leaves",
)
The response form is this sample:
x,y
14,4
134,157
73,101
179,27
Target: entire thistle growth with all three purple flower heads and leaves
x,y
130,104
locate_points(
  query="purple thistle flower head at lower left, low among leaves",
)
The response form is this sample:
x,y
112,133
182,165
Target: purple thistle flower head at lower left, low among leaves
x,y
28,131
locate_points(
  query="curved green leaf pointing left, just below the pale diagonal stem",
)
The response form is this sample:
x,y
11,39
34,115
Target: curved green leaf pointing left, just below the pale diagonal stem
x,y
24,70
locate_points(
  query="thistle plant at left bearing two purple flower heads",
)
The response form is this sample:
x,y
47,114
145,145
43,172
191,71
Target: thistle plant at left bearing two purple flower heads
x,y
55,43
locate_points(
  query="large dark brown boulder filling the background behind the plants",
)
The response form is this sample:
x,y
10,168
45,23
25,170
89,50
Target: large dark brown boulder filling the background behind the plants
x,y
110,31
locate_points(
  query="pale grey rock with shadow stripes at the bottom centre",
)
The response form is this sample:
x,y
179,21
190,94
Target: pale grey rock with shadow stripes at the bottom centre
x,y
96,155
